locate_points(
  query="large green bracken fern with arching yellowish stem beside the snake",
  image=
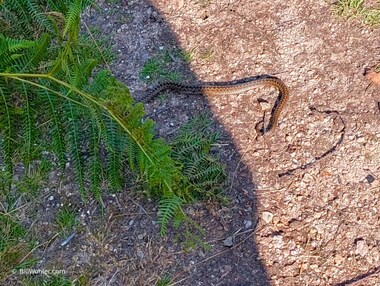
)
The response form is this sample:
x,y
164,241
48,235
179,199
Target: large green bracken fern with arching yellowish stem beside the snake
x,y
55,98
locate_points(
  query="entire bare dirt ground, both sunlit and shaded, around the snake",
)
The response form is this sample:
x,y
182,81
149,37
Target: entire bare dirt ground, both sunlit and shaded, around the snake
x,y
305,207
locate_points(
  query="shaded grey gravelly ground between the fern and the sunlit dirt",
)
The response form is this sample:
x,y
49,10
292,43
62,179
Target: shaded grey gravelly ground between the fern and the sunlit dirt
x,y
122,246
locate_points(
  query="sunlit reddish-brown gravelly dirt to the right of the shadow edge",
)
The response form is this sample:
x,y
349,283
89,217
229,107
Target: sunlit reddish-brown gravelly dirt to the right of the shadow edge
x,y
320,225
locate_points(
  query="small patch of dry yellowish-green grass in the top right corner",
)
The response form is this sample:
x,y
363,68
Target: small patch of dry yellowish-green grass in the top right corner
x,y
359,9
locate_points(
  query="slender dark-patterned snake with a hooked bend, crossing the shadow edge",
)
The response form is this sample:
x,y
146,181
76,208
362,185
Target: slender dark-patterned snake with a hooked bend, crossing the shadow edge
x,y
229,88
